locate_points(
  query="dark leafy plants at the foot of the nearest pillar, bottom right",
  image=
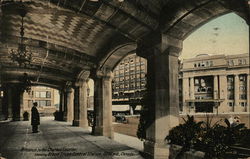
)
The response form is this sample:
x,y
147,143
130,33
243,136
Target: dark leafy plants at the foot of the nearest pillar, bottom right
x,y
215,140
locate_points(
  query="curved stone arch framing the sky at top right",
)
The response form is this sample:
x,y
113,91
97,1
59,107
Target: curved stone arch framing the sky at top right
x,y
187,16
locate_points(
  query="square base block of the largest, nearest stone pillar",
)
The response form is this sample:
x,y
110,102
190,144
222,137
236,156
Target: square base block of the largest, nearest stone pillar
x,y
155,150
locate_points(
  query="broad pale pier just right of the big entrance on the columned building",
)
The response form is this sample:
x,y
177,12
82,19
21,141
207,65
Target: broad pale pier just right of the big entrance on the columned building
x,y
223,107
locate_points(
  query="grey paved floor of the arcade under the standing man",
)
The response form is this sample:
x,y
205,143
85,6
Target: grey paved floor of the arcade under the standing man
x,y
58,140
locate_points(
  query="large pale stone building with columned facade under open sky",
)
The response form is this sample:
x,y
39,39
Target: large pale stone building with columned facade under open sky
x,y
216,84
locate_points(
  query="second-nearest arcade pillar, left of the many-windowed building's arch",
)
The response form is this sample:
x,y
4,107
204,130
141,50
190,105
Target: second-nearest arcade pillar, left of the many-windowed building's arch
x,y
103,104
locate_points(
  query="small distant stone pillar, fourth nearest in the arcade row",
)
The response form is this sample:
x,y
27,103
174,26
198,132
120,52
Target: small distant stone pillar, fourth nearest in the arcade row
x,y
70,104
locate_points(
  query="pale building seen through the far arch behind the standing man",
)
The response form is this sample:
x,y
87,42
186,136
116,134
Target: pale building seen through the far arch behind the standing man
x,y
45,97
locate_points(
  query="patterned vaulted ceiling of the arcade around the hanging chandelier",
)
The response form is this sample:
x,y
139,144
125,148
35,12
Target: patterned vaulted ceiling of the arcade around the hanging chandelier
x,y
70,36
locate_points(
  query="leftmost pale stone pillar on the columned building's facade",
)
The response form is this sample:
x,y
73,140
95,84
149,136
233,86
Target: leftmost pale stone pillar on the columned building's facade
x,y
185,94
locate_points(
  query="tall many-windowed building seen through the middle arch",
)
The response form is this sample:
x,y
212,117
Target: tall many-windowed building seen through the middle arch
x,y
129,81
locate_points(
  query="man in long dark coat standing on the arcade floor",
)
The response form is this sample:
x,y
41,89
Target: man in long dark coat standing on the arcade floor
x,y
35,118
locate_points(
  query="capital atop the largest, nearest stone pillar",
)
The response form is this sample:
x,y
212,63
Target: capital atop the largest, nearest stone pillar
x,y
158,43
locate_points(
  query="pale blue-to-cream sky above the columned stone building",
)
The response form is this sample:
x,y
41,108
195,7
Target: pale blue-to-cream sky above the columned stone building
x,y
227,34
